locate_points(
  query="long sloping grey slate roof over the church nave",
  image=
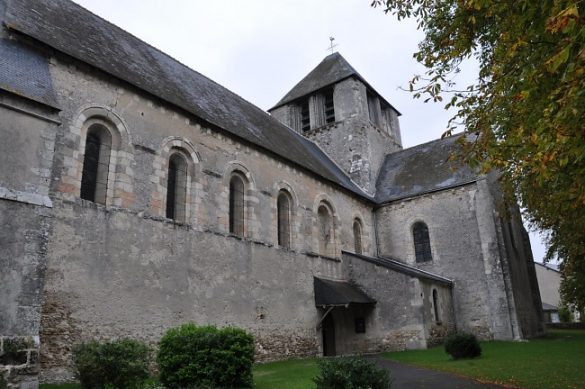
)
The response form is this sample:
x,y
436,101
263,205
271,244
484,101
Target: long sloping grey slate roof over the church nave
x,y
71,29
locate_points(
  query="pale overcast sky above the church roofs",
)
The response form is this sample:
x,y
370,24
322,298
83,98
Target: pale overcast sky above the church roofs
x,y
260,49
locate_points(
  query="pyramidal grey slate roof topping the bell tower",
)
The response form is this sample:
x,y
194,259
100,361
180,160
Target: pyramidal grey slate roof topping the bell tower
x,y
332,69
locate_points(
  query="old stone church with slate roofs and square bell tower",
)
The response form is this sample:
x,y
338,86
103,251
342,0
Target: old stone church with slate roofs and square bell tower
x,y
137,194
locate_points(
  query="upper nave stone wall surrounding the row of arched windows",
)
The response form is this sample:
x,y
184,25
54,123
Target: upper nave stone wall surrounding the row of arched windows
x,y
147,128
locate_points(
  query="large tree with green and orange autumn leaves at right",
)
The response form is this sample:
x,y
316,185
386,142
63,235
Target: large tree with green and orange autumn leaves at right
x,y
527,106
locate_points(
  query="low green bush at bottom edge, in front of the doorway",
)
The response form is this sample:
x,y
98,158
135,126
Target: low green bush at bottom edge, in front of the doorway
x,y
351,373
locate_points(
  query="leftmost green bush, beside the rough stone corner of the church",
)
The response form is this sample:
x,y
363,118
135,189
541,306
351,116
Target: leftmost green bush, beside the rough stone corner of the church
x,y
116,364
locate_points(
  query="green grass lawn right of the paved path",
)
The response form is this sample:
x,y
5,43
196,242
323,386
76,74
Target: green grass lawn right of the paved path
x,y
557,361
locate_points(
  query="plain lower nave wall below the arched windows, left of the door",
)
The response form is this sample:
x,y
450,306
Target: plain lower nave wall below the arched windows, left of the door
x,y
114,273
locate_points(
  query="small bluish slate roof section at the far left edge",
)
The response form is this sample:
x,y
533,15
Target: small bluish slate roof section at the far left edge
x,y
26,73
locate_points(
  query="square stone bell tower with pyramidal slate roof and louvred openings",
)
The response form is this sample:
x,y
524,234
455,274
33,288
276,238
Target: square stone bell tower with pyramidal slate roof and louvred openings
x,y
337,109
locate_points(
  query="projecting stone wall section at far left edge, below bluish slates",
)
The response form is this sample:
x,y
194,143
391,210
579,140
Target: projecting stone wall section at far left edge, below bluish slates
x,y
26,155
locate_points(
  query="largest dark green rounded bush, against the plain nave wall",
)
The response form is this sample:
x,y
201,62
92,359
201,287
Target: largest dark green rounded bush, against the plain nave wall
x,y
206,357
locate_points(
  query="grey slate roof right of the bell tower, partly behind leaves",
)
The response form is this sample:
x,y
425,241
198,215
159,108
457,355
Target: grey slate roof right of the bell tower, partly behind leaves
x,y
421,169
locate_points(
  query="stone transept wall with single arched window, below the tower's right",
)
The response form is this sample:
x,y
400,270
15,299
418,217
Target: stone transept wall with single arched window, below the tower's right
x,y
464,247
